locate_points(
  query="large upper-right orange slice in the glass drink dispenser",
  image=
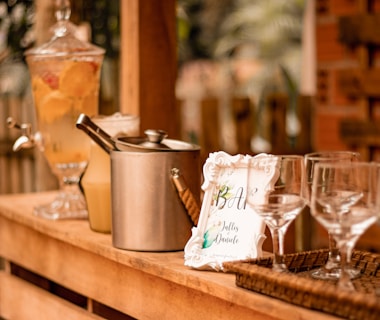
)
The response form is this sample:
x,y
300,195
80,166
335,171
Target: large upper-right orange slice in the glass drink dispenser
x,y
78,79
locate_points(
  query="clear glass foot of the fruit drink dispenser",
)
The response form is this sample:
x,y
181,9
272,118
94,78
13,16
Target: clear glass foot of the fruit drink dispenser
x,y
64,206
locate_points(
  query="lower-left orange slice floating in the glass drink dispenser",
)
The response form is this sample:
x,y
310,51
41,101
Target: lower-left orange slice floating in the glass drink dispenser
x,y
54,106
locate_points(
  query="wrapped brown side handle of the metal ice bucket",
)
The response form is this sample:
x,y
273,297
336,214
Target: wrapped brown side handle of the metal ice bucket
x,y
186,195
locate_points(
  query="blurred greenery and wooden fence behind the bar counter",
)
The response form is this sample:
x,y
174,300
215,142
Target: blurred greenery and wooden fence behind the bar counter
x,y
237,62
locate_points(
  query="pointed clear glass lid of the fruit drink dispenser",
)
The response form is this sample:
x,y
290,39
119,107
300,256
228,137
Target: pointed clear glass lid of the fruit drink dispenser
x,y
64,42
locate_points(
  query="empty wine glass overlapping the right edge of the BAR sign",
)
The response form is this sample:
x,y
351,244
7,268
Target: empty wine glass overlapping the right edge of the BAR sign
x,y
276,191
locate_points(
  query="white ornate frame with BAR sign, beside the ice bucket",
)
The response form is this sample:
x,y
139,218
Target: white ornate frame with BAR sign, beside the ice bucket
x,y
228,229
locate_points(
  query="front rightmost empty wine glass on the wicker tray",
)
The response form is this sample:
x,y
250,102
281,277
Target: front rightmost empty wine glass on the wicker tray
x,y
344,200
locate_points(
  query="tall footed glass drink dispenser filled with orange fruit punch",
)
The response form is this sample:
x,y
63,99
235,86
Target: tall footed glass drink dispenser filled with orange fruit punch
x,y
65,74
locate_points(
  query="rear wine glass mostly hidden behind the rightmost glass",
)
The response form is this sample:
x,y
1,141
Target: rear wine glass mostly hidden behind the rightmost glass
x,y
331,269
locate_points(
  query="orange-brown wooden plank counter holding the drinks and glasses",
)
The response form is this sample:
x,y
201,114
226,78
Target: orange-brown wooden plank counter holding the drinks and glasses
x,y
68,255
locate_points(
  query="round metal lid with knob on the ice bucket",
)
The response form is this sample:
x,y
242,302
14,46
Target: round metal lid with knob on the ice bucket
x,y
155,140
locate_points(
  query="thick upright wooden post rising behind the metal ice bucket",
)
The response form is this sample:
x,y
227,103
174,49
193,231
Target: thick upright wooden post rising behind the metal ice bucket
x,y
149,63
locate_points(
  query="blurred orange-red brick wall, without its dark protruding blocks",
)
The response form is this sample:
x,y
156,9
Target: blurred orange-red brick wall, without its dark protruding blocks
x,y
333,106
